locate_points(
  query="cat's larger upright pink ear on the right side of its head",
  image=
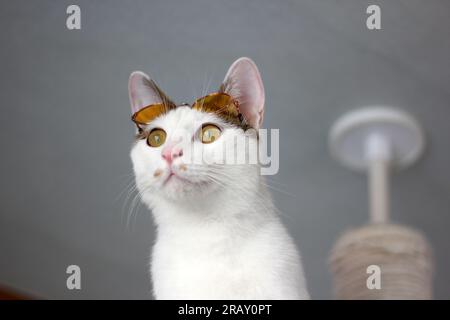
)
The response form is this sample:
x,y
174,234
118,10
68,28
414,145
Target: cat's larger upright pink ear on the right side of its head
x,y
243,82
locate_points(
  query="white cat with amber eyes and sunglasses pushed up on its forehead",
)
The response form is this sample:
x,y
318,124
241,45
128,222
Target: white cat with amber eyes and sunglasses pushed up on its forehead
x,y
218,233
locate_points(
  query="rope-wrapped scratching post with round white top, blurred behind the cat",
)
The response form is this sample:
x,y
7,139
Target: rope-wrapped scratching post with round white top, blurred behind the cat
x,y
380,260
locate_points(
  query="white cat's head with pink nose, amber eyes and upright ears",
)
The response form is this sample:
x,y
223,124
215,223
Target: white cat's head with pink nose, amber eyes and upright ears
x,y
181,153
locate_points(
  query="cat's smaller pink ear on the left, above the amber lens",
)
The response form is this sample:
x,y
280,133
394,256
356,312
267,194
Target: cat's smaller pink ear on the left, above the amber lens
x,y
143,91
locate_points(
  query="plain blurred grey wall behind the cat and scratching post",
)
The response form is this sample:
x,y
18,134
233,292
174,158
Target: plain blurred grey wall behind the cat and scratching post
x,y
66,130
